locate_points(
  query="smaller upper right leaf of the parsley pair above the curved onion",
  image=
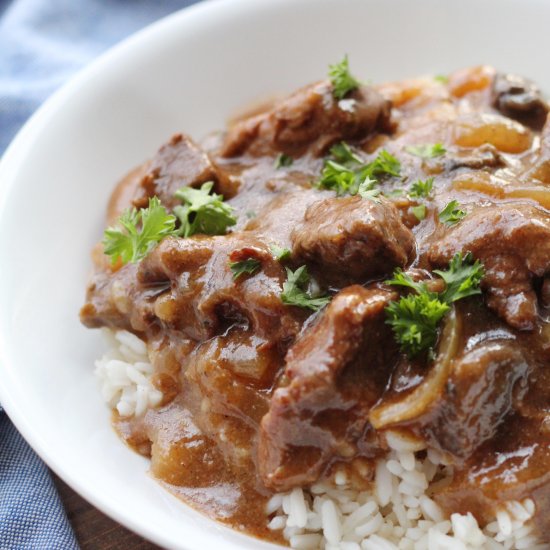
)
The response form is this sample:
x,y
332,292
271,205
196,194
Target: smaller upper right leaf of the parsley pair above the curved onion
x,y
462,278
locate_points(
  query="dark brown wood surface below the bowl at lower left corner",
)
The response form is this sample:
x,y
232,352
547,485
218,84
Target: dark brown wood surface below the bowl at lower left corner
x,y
93,529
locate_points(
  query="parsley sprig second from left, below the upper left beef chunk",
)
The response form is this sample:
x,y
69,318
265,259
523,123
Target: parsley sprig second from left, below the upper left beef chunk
x,y
203,212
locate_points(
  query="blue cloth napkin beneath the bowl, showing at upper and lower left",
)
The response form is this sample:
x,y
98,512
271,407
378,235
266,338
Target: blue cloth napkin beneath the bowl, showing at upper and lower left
x,y
42,44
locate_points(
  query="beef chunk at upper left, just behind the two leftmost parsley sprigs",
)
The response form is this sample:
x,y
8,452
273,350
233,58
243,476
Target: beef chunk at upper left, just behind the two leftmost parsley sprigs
x,y
178,163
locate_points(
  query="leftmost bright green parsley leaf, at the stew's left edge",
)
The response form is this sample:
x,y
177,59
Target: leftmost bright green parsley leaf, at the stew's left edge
x,y
131,244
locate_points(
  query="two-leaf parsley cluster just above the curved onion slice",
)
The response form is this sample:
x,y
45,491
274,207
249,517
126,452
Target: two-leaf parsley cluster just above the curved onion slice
x,y
415,318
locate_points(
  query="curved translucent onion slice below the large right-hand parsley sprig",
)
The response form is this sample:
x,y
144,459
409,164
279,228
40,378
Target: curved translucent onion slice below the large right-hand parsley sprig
x,y
421,398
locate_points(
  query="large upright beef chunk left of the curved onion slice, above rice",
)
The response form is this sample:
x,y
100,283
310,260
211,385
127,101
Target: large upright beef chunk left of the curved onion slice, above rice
x,y
334,373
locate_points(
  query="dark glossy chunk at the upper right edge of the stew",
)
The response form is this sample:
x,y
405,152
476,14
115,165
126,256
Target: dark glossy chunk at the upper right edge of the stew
x,y
520,99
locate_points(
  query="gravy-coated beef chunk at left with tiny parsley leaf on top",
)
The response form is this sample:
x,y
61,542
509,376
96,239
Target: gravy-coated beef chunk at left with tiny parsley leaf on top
x,y
205,300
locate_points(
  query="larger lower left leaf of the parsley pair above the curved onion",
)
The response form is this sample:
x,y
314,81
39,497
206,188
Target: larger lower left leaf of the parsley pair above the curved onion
x,y
415,319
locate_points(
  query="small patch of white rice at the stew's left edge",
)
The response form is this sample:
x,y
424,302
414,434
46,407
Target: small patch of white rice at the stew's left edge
x,y
125,373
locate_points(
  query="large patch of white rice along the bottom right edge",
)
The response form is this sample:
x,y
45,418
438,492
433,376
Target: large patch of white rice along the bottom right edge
x,y
397,513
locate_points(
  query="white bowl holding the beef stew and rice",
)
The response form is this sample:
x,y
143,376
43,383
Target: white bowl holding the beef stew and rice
x,y
188,72
